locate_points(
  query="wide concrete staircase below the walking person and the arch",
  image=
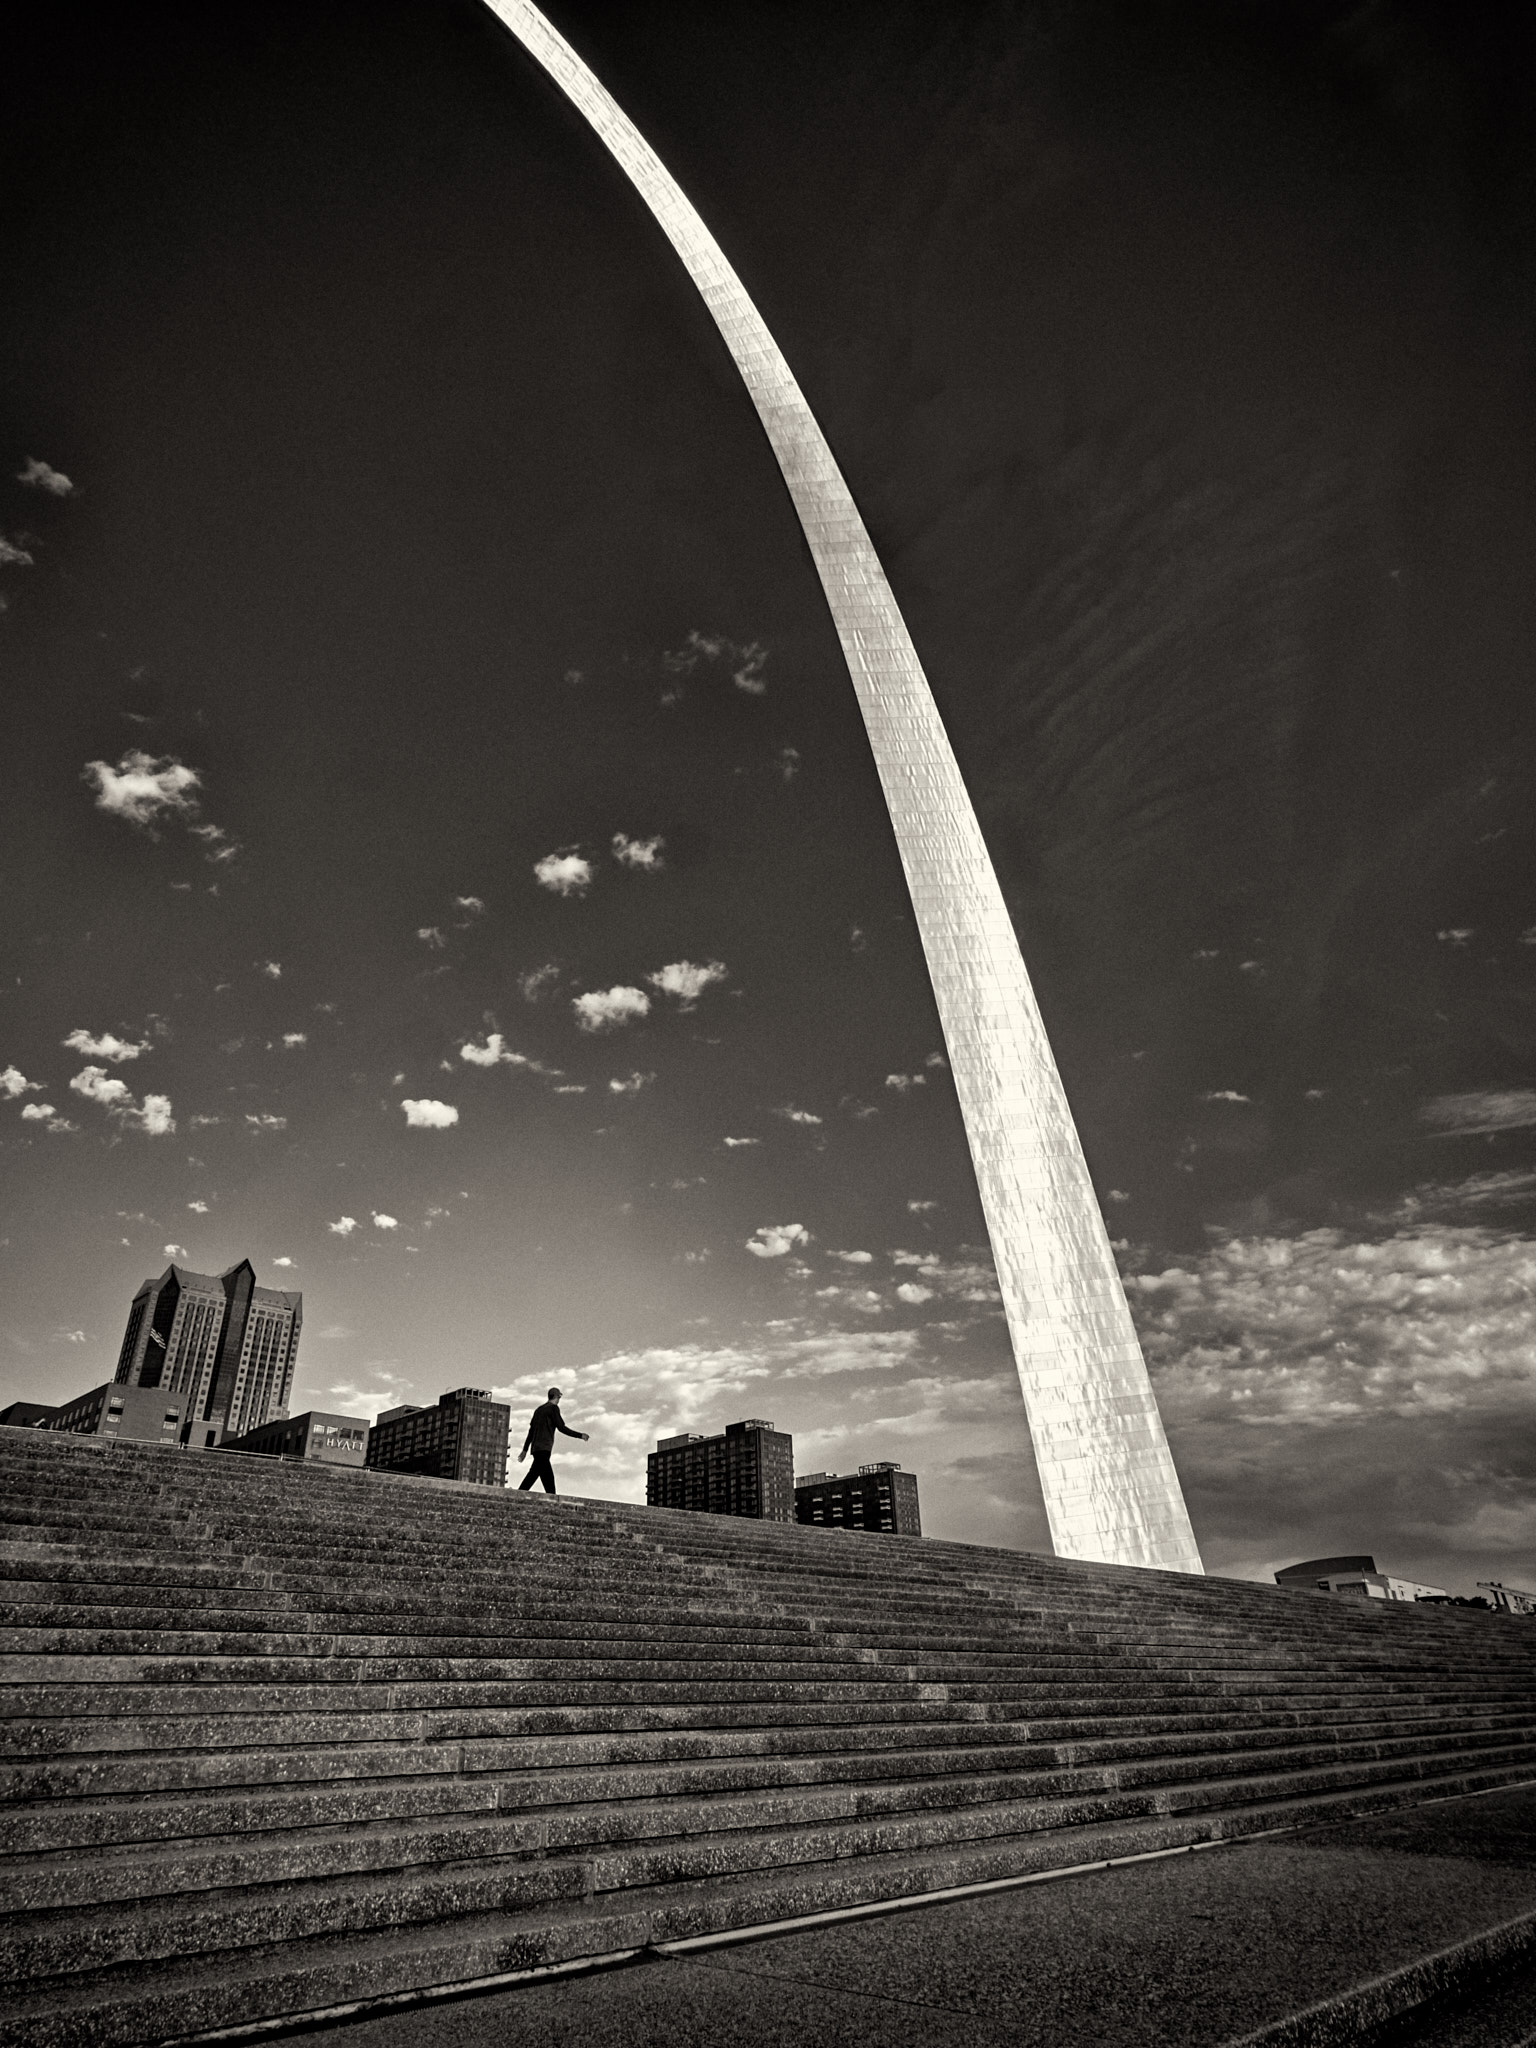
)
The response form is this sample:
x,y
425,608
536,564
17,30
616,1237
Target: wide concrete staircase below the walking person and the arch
x,y
282,1736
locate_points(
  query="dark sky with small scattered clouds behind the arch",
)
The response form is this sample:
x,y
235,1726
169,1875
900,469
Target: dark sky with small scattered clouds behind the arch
x,y
441,853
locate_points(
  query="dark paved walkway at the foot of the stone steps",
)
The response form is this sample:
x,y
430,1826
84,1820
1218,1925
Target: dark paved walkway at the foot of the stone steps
x,y
1191,1953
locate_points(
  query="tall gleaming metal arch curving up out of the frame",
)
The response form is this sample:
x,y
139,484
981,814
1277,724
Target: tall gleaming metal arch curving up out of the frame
x,y
1109,1482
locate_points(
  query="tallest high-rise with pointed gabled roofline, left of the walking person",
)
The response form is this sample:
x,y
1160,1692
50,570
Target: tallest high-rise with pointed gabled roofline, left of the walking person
x,y
222,1345
